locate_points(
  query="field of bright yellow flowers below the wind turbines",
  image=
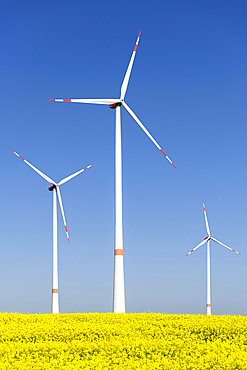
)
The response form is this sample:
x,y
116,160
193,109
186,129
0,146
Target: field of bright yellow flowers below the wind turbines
x,y
122,341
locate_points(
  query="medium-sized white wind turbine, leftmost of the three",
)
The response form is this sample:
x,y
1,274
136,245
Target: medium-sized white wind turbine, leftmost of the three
x,y
56,192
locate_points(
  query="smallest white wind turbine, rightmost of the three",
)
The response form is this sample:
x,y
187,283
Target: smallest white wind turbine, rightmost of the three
x,y
207,240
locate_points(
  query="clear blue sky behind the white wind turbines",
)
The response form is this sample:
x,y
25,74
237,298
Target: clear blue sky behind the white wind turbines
x,y
188,87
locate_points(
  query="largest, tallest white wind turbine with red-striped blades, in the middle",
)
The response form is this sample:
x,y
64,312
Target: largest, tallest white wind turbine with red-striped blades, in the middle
x,y
118,292
